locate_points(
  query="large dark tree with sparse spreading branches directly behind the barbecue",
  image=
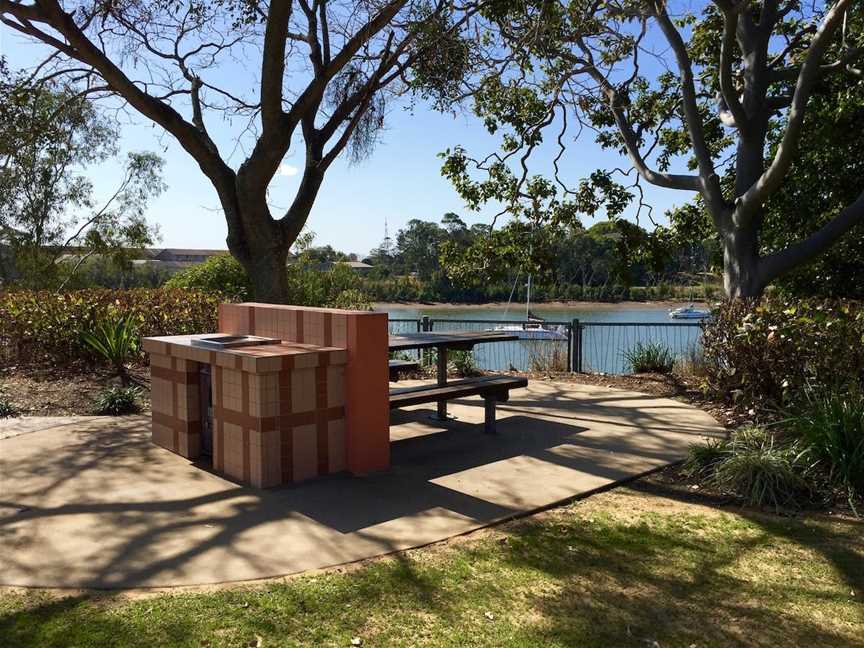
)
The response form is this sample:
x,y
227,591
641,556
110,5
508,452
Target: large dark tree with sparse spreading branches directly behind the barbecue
x,y
278,76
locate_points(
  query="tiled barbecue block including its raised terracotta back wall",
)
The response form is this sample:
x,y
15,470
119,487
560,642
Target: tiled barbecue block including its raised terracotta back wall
x,y
311,400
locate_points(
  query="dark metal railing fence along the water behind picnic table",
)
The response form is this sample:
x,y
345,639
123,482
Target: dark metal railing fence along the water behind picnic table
x,y
599,347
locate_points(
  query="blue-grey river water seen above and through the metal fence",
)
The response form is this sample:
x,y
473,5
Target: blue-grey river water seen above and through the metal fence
x,y
609,332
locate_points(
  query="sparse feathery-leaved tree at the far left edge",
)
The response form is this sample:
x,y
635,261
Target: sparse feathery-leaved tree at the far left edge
x,y
49,136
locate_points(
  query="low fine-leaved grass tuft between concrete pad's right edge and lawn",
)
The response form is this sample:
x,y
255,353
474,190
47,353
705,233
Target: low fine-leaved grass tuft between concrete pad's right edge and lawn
x,y
761,469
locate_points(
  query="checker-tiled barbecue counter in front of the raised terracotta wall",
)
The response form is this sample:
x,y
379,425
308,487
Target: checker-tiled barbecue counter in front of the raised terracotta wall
x,y
278,410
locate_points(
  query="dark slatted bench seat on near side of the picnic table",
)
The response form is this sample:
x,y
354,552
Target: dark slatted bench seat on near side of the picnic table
x,y
493,389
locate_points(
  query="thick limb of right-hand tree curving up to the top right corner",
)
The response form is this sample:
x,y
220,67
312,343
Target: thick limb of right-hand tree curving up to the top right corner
x,y
773,176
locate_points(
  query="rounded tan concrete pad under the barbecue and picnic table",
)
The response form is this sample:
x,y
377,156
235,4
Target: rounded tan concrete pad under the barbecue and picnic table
x,y
95,504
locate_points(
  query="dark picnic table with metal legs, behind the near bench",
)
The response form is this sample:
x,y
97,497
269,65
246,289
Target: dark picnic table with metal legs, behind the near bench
x,y
443,341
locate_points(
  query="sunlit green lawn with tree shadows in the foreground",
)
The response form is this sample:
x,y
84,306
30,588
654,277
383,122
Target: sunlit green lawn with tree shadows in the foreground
x,y
618,569
